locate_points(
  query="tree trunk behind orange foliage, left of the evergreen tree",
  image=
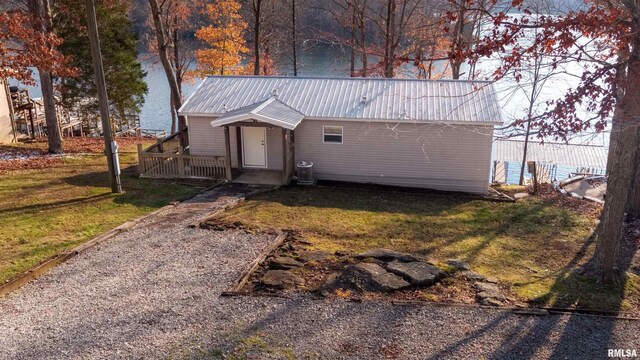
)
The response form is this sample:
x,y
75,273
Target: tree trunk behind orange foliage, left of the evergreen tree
x,y
41,11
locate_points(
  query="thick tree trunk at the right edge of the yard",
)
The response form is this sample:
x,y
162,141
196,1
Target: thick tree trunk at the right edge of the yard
x,y
621,171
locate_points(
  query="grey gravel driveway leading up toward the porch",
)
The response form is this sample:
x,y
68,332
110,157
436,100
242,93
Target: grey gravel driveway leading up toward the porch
x,y
153,292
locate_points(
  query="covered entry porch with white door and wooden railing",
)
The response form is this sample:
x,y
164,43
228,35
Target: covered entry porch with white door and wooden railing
x,y
255,152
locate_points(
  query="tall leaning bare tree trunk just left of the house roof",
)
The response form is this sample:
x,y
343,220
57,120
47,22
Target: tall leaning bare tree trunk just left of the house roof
x,y
163,53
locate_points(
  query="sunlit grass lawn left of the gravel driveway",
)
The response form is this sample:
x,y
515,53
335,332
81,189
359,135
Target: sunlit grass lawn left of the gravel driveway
x,y
45,211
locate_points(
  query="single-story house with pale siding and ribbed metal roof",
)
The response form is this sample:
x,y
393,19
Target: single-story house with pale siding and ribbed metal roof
x,y
413,133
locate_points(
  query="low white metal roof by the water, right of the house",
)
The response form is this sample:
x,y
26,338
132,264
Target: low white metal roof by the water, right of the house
x,y
558,153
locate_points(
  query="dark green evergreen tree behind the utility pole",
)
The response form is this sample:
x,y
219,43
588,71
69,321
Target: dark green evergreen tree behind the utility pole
x,y
123,73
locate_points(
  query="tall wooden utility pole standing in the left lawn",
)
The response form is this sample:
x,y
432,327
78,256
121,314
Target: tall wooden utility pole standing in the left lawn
x,y
111,148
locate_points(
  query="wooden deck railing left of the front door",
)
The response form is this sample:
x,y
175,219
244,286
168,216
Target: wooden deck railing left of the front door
x,y
177,164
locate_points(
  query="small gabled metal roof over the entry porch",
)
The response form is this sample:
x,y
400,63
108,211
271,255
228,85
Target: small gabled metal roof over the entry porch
x,y
271,111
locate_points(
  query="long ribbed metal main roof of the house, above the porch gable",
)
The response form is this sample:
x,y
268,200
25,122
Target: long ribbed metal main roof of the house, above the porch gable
x,y
400,100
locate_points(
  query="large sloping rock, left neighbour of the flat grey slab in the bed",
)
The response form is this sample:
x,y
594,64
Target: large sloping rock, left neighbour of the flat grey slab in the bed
x,y
369,277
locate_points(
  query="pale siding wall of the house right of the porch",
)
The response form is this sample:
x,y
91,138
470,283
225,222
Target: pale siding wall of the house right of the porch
x,y
436,156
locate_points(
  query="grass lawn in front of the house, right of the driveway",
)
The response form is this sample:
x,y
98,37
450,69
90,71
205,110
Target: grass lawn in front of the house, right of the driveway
x,y
532,245
